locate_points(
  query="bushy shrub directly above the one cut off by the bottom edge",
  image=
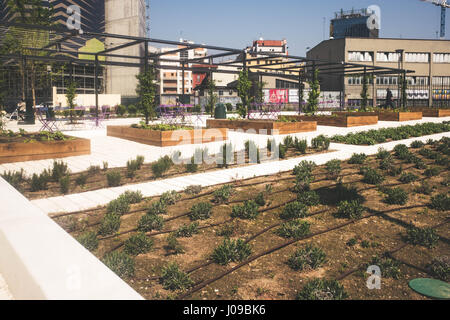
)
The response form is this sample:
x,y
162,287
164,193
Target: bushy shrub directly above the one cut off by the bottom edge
x,y
308,258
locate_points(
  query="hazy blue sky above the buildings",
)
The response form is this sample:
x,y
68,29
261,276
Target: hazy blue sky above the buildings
x,y
235,23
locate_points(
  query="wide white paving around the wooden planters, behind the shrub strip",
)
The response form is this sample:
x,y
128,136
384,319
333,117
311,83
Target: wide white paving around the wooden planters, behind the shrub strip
x,y
117,151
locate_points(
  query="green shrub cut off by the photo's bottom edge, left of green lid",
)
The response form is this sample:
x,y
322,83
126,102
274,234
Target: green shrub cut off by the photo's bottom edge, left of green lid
x,y
322,289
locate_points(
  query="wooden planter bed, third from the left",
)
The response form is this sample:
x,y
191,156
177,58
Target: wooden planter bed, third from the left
x,y
264,126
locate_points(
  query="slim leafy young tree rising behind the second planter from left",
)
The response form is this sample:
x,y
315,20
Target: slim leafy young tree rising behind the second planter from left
x,y
146,90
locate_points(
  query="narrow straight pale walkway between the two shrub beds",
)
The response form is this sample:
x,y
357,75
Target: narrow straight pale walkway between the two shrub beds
x,y
92,199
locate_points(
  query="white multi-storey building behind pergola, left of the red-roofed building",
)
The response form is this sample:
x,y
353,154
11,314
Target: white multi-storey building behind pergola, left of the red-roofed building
x,y
171,80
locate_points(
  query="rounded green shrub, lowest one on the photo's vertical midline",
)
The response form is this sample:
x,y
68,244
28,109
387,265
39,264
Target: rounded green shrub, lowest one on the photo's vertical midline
x,y
231,251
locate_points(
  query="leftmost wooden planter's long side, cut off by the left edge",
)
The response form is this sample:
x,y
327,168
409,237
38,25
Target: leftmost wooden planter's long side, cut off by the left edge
x,y
39,150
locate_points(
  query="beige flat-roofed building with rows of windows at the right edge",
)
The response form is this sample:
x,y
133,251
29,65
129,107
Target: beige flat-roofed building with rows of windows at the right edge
x,y
428,84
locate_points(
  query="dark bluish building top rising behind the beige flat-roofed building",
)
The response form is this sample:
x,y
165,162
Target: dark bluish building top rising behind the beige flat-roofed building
x,y
352,24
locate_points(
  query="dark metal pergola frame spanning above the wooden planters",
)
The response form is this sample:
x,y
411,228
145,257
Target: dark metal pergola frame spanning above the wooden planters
x,y
301,69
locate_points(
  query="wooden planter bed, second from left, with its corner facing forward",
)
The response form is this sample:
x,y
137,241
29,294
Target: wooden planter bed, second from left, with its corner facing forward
x,y
167,138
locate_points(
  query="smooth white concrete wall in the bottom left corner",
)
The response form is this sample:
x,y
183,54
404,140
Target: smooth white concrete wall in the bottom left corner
x,y
39,260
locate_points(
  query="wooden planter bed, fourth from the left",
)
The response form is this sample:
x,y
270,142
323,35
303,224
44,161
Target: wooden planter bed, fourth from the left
x,y
342,119
